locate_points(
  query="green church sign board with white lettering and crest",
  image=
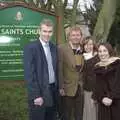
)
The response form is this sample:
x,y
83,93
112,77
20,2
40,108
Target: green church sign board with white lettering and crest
x,y
18,26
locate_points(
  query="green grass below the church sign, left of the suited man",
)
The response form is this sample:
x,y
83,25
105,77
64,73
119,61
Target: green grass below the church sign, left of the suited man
x,y
13,100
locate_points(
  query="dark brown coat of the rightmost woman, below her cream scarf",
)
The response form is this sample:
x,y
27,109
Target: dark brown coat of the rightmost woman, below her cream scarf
x,y
108,85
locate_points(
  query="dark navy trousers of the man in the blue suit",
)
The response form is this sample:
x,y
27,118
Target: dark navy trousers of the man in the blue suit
x,y
43,112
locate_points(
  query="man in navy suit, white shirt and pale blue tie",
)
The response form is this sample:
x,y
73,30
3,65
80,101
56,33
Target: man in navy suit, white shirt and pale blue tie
x,y
40,74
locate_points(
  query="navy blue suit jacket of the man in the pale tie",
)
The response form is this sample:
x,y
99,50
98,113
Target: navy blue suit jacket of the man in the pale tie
x,y
37,77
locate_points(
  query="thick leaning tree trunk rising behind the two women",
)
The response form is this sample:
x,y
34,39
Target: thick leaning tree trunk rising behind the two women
x,y
105,20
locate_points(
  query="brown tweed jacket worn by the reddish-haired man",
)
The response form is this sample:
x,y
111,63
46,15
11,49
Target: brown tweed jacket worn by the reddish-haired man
x,y
69,78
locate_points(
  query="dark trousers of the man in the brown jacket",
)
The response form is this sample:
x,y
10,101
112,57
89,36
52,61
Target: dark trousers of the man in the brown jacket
x,y
73,106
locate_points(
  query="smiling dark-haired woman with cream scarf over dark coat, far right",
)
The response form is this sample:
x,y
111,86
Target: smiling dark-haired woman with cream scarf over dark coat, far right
x,y
107,88
